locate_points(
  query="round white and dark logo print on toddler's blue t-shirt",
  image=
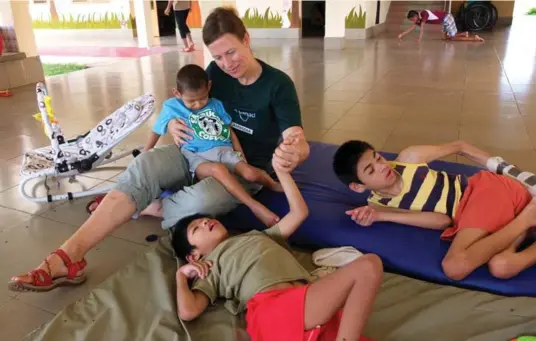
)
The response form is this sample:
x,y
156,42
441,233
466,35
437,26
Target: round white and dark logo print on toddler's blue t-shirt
x,y
209,126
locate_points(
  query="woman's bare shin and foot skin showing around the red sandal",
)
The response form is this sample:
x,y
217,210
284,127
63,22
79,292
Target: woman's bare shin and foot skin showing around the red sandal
x,y
116,208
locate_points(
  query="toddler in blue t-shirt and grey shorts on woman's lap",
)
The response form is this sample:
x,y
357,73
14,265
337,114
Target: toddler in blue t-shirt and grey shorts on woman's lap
x,y
214,150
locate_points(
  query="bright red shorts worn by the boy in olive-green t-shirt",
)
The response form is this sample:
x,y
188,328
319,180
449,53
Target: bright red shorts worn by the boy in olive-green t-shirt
x,y
278,315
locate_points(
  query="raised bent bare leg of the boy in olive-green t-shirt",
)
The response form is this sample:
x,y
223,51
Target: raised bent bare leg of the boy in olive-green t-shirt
x,y
352,288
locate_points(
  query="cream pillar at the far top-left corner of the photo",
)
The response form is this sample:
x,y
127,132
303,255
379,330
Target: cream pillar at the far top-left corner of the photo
x,y
22,23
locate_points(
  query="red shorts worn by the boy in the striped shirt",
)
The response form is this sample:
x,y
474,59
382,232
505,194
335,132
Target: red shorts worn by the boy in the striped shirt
x,y
489,202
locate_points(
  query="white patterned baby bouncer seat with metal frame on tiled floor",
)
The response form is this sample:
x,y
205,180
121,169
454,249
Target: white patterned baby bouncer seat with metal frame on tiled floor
x,y
83,154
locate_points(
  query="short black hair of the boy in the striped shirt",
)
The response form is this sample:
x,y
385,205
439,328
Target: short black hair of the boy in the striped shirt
x,y
346,158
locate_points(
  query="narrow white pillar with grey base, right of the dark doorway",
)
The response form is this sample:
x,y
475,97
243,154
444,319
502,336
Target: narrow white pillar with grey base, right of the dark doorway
x,y
335,25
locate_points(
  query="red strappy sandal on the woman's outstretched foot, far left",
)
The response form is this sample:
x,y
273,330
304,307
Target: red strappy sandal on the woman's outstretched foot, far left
x,y
43,281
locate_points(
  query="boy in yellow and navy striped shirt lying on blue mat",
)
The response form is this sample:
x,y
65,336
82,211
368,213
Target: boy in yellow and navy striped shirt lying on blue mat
x,y
487,216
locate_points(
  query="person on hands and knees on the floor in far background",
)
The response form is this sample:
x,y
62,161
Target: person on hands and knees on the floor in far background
x,y
450,31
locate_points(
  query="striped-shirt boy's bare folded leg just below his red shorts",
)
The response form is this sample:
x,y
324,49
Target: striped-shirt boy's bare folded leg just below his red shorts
x,y
474,247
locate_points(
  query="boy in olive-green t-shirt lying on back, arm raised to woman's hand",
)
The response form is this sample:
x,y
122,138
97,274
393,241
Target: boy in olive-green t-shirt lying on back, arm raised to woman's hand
x,y
256,272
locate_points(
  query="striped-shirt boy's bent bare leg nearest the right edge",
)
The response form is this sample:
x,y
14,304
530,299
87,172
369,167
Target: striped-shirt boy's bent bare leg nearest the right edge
x,y
510,263
